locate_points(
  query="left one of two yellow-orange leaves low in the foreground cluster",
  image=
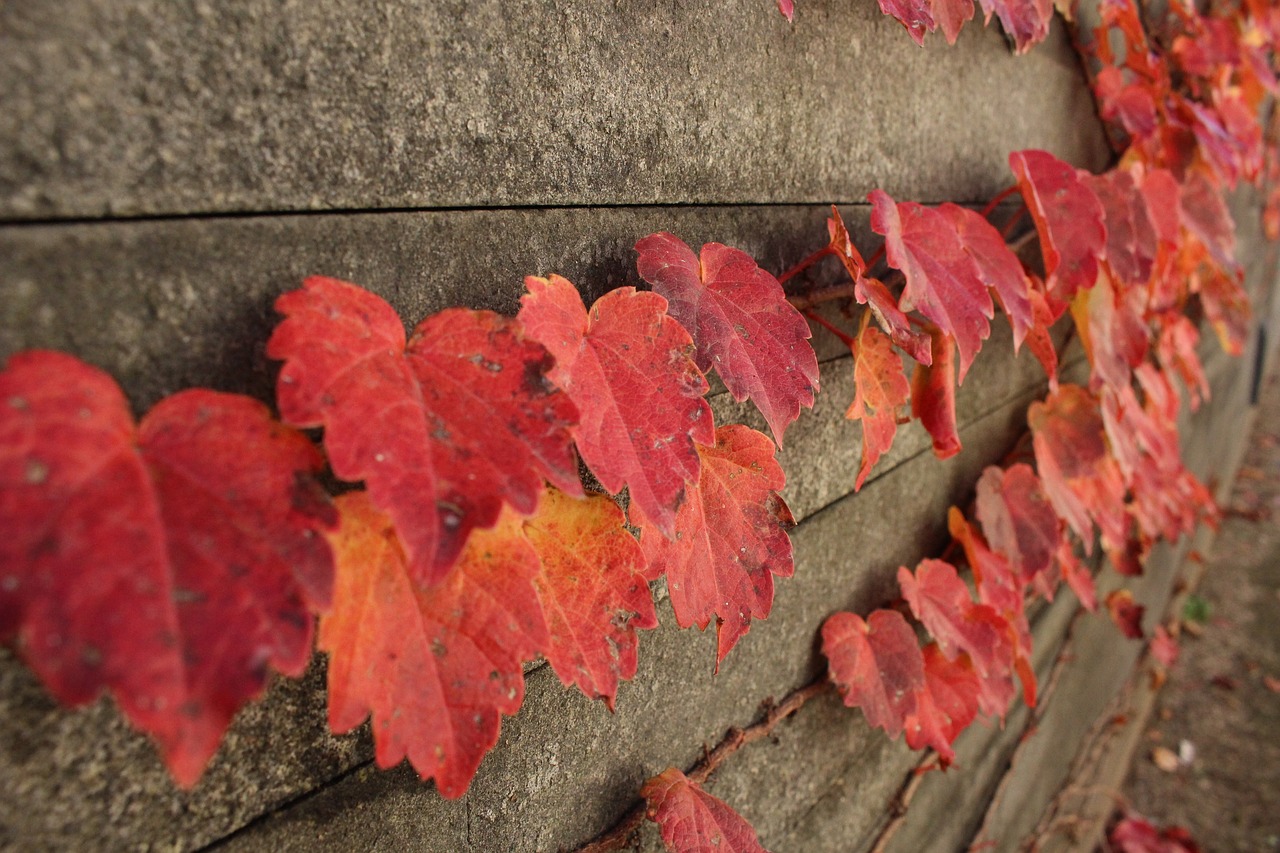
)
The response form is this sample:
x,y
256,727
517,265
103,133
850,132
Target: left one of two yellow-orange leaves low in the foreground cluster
x,y
435,667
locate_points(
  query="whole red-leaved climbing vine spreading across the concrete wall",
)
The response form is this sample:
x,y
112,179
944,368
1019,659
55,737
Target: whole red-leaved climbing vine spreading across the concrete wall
x,y
177,562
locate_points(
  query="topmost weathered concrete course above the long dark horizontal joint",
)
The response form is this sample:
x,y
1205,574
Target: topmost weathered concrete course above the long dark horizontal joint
x,y
149,107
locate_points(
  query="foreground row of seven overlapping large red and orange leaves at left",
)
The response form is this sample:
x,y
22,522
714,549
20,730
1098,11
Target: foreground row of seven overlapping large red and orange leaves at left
x,y
179,562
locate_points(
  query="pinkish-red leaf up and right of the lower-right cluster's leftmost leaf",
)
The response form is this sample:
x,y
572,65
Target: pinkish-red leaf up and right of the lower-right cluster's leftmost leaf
x,y
963,628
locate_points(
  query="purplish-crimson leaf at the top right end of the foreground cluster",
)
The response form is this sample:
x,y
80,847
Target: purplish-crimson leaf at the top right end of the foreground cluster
x,y
742,323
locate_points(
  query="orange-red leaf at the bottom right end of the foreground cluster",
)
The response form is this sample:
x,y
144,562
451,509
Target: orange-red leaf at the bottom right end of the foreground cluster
x,y
732,539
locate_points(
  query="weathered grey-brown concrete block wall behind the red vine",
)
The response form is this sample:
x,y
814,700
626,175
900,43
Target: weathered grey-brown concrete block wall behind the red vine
x,y
168,170
